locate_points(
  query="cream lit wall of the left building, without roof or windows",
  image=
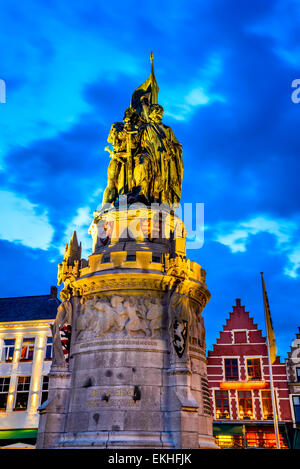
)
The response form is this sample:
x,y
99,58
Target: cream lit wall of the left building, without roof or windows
x,y
36,369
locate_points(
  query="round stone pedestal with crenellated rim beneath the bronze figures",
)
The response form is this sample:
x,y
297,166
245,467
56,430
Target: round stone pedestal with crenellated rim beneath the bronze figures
x,y
136,377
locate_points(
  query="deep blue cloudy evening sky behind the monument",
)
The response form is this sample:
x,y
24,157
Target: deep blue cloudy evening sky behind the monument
x,y
224,69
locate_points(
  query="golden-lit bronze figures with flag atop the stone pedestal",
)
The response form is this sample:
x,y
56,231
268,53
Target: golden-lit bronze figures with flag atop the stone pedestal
x,y
146,160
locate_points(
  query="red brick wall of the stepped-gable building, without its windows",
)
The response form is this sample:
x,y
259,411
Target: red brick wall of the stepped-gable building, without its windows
x,y
240,339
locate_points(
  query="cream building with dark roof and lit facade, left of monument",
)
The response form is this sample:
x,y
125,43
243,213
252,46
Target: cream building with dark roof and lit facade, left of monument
x,y
26,355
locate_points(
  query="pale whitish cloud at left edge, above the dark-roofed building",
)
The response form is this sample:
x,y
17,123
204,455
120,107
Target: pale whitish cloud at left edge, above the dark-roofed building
x,y
23,222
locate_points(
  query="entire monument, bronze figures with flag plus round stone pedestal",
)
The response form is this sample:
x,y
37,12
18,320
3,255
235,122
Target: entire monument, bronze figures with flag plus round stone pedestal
x,y
129,368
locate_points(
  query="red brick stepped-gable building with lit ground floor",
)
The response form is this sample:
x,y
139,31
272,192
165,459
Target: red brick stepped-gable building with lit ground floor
x,y
239,382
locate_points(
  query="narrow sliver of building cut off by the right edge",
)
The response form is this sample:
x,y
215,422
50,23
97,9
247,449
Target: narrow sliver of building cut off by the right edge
x,y
293,374
